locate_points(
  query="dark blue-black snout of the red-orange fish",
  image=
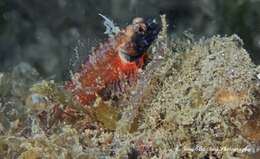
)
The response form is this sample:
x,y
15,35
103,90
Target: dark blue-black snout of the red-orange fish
x,y
145,38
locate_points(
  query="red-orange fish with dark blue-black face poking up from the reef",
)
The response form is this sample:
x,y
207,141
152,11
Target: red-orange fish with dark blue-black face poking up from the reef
x,y
115,62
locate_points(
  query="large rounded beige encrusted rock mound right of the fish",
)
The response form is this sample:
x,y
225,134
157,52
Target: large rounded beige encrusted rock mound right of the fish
x,y
210,101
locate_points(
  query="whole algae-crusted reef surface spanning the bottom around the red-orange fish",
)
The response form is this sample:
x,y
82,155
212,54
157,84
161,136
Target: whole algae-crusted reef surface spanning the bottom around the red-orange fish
x,y
195,99
